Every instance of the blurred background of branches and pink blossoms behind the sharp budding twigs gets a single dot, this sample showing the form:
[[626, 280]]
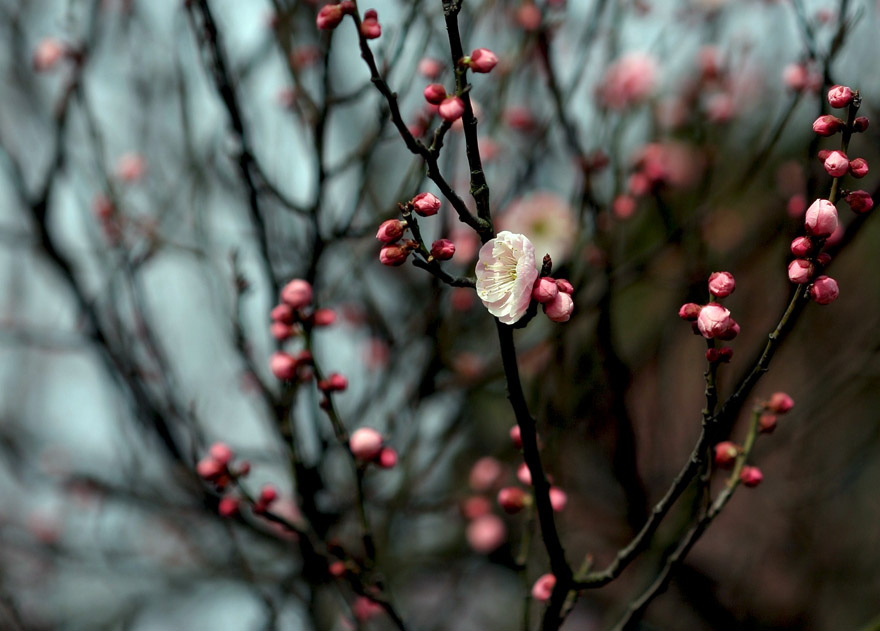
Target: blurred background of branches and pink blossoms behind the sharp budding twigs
[[165, 167]]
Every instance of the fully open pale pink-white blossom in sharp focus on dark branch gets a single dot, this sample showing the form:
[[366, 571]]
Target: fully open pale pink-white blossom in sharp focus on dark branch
[[506, 273]]
